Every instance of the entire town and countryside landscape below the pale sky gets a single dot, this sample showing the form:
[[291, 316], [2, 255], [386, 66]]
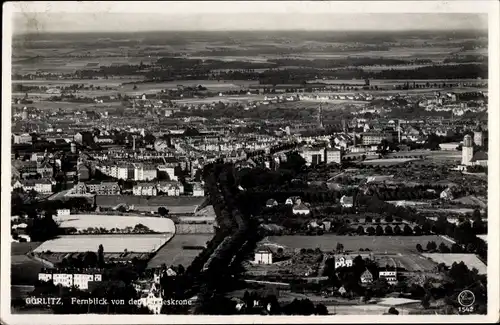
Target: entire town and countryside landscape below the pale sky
[[250, 173]]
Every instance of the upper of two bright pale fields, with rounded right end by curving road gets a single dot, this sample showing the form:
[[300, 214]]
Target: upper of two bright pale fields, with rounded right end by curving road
[[84, 221]]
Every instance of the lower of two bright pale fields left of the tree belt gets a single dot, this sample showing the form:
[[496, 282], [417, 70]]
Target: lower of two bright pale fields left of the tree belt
[[111, 243]]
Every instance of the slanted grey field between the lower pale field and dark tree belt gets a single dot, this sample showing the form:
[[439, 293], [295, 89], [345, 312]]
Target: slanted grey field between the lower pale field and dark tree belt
[[173, 252]]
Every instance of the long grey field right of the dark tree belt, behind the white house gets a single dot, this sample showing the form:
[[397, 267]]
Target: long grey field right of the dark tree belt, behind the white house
[[328, 243]]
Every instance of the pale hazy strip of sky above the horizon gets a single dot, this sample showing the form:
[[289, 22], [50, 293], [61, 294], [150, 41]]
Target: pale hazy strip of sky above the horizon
[[127, 22]]
